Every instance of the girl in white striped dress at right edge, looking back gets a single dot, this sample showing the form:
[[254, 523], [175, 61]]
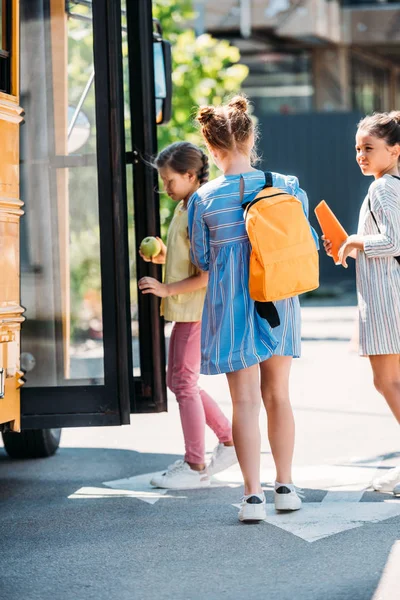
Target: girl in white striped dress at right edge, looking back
[[376, 248]]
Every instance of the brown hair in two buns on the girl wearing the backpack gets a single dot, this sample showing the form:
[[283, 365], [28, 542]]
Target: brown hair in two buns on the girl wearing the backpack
[[227, 127]]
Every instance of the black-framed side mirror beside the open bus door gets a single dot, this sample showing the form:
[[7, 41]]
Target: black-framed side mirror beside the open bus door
[[162, 80]]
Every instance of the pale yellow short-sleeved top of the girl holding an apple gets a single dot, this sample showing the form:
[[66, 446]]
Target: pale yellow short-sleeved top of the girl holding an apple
[[181, 307]]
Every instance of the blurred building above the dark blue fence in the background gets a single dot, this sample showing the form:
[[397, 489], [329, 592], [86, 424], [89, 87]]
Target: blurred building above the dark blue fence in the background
[[313, 55]]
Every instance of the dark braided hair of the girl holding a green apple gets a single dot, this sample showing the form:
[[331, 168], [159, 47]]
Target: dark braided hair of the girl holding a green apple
[[182, 157]]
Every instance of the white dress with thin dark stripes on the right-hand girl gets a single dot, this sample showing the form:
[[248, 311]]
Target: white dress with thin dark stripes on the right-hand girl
[[378, 273]]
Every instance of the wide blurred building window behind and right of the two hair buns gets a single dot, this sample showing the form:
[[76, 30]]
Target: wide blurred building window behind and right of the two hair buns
[[280, 82]]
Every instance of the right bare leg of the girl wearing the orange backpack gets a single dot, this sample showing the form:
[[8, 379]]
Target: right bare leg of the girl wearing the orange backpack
[[281, 430]]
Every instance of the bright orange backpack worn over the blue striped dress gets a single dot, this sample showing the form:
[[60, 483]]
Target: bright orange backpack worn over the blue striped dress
[[284, 256]]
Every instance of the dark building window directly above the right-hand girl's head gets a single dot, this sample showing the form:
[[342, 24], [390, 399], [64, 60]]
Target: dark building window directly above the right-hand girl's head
[[370, 86]]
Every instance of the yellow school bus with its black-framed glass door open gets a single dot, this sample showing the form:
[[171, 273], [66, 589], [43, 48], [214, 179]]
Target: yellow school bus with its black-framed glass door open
[[83, 84]]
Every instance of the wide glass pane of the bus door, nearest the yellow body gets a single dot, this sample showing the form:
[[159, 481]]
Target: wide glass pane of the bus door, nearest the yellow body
[[62, 342]]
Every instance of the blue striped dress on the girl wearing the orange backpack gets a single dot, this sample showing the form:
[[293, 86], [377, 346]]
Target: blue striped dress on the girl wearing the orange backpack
[[234, 336]]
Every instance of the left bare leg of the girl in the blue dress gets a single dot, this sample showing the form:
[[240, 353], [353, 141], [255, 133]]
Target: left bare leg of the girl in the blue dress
[[244, 386]]
